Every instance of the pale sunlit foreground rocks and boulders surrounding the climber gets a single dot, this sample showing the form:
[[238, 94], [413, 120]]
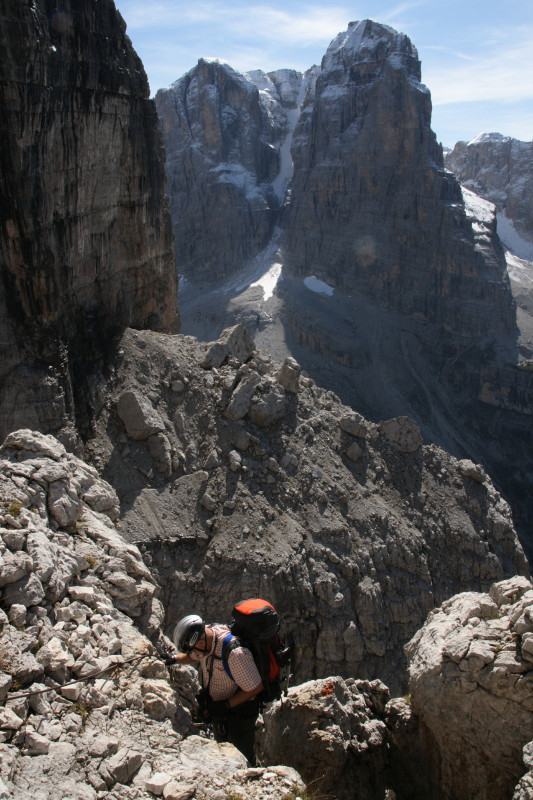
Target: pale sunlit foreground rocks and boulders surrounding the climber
[[88, 709]]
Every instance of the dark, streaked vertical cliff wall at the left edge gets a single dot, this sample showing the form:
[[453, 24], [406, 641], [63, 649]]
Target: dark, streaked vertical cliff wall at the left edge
[[85, 234]]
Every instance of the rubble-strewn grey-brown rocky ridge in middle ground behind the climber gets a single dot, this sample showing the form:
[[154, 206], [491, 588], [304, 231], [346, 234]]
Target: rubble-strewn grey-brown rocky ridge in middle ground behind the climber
[[355, 531]]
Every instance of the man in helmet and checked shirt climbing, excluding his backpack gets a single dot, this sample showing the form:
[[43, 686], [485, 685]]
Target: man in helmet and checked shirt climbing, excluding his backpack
[[231, 704]]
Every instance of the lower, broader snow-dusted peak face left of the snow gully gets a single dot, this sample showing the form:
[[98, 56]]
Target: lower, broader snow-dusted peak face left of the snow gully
[[221, 160]]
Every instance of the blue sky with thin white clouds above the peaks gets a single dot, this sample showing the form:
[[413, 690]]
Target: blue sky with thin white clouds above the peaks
[[477, 55]]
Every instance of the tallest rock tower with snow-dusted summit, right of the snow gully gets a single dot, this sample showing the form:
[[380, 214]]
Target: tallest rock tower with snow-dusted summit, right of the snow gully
[[373, 210]]
